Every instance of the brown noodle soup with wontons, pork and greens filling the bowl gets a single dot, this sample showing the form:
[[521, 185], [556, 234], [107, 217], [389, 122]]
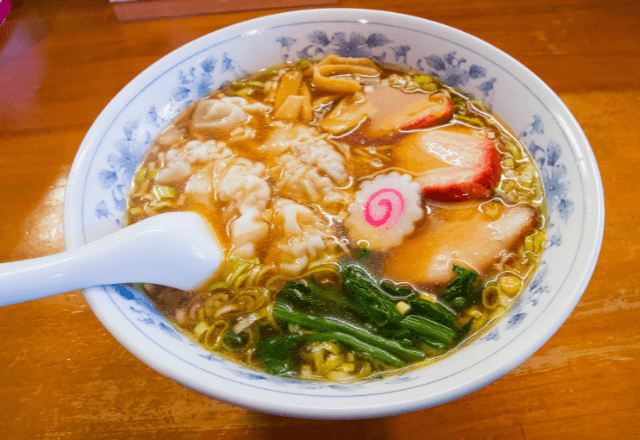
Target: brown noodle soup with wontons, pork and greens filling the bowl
[[373, 219]]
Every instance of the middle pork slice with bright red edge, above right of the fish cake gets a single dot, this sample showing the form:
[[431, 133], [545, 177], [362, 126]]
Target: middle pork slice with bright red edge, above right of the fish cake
[[456, 162]]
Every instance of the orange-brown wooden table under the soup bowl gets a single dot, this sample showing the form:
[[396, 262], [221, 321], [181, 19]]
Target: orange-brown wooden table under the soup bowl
[[62, 376]]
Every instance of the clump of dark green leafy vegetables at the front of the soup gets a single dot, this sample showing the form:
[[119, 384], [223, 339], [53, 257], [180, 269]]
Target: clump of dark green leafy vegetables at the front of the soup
[[364, 317]]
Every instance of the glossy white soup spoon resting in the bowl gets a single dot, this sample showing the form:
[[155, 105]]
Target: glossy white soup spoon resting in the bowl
[[173, 249]]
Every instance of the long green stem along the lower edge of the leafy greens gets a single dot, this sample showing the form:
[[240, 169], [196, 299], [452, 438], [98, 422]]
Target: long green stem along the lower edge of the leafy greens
[[321, 324]]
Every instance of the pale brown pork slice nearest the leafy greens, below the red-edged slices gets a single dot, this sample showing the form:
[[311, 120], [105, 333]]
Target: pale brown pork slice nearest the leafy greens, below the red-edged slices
[[466, 237]]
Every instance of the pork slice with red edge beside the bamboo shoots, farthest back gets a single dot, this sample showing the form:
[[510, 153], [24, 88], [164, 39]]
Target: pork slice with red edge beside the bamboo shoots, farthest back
[[398, 110]]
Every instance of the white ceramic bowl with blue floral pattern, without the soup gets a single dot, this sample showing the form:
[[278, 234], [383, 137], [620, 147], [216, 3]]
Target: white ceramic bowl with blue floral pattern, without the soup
[[107, 158]]
